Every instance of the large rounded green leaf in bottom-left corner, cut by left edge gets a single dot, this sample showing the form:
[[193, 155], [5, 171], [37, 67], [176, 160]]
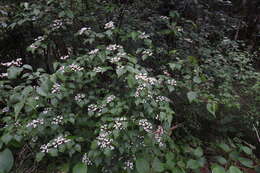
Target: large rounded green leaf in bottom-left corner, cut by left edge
[[6, 160]]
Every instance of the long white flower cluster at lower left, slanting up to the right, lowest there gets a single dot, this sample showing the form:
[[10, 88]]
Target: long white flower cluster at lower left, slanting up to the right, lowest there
[[54, 144]]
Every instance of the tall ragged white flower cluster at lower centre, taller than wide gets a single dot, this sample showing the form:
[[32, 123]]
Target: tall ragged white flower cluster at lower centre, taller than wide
[[103, 138]]
